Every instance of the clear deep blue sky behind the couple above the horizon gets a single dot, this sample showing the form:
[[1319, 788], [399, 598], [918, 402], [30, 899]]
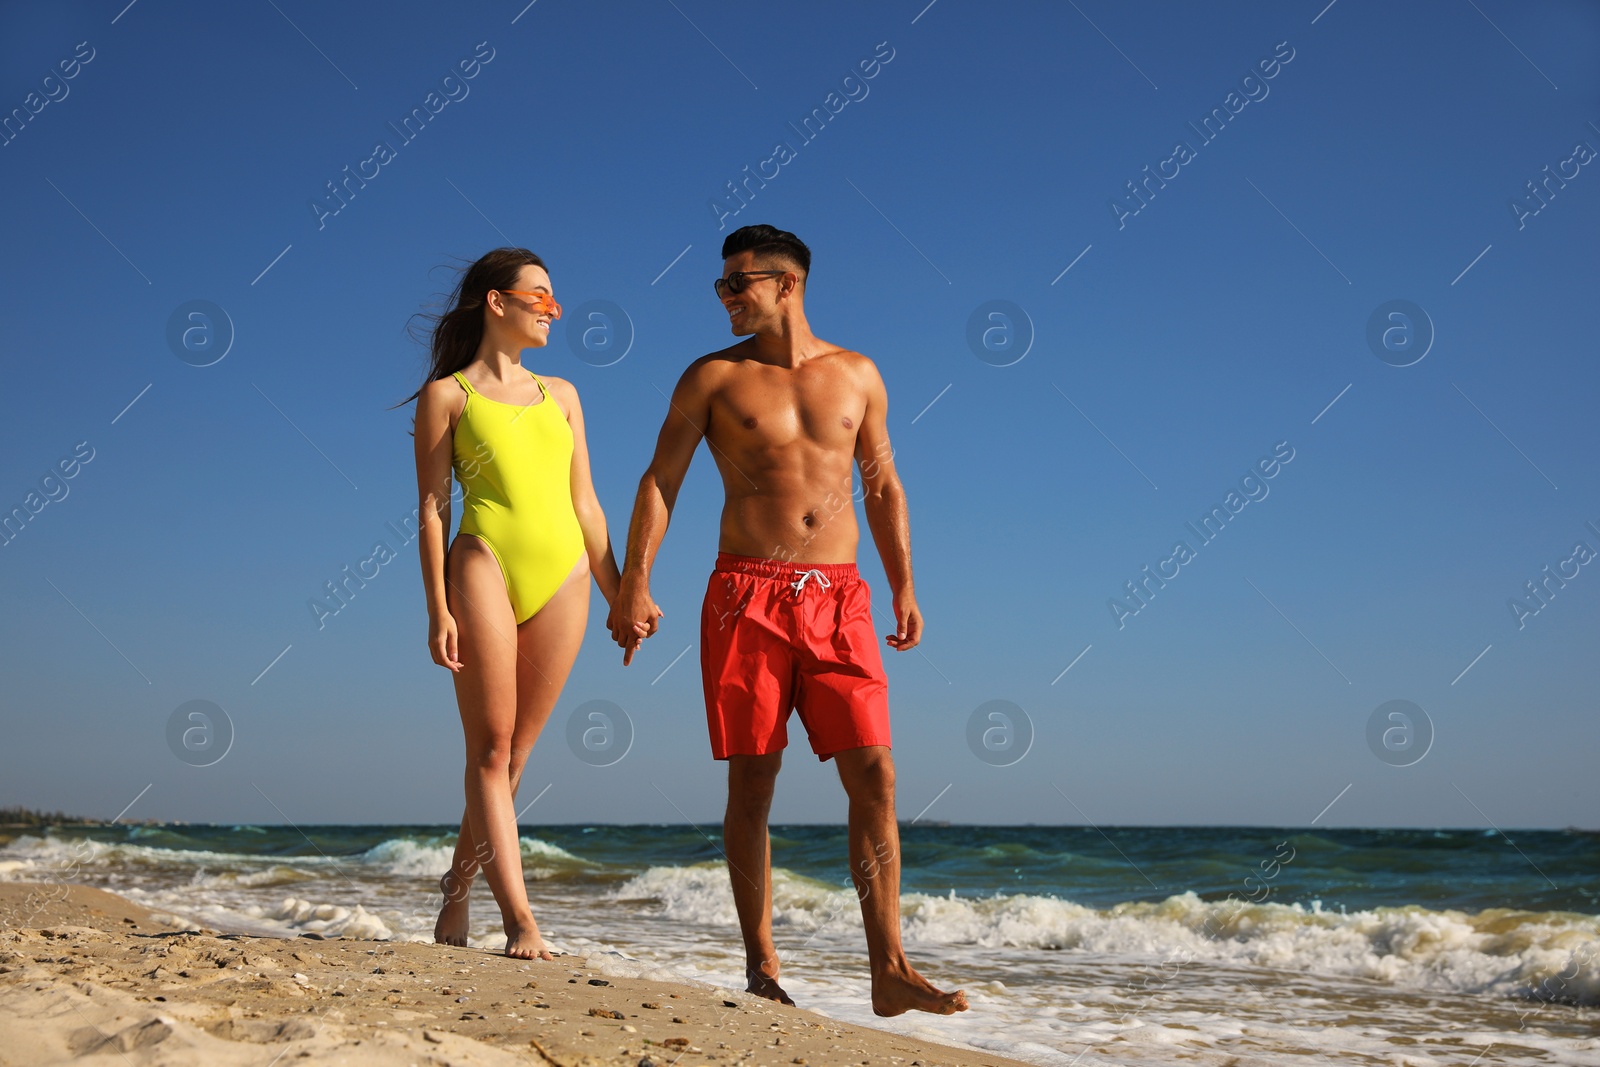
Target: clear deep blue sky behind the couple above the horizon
[[1170, 351]]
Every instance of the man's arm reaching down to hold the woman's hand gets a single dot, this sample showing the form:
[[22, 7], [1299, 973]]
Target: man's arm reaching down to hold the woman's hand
[[689, 415]]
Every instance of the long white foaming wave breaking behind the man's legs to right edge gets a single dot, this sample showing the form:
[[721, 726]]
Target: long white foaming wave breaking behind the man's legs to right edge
[[1548, 956]]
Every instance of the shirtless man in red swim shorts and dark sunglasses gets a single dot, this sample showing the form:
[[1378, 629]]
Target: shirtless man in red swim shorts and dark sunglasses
[[788, 621]]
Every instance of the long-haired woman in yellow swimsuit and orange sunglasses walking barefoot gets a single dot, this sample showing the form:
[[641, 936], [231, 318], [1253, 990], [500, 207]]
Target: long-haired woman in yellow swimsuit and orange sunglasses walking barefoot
[[510, 602]]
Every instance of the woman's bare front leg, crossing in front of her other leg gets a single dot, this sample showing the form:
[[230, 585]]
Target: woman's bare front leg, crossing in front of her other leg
[[487, 695]]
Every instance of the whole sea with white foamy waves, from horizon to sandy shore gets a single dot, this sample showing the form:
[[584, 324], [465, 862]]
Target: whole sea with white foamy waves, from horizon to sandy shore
[[1132, 946]]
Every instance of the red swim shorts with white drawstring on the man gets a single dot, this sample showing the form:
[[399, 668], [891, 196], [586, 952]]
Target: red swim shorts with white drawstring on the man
[[780, 637]]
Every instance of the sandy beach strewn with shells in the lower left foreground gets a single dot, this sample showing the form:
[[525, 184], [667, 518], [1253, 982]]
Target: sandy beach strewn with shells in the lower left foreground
[[87, 973]]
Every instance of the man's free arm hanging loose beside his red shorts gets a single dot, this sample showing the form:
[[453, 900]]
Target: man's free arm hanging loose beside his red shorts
[[886, 505]]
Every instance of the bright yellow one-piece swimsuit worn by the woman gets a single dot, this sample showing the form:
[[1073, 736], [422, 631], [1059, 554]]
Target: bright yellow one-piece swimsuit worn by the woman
[[514, 465]]
